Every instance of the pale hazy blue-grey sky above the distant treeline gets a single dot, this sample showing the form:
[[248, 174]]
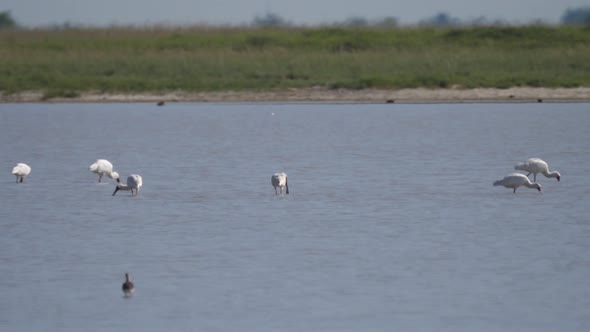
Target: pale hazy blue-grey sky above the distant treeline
[[105, 12]]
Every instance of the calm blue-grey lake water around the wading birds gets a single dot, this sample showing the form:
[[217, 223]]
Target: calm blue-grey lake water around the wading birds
[[391, 224]]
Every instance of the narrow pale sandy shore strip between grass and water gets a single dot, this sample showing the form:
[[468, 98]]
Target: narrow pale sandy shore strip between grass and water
[[581, 94]]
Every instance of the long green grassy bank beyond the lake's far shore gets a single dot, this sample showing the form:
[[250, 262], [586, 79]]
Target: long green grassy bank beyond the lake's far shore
[[128, 60]]
